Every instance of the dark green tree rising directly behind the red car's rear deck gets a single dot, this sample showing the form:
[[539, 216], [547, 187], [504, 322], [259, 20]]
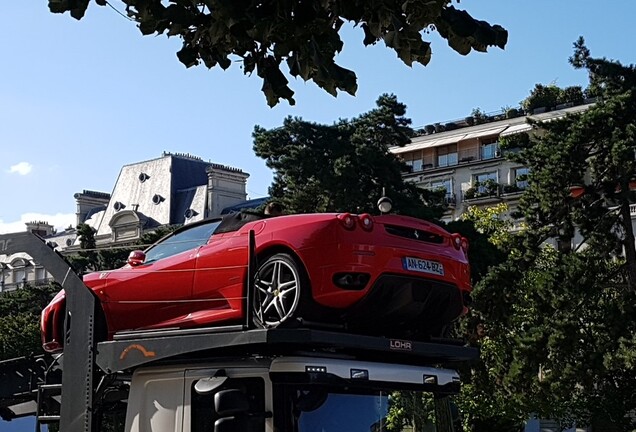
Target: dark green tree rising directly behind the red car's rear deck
[[344, 166]]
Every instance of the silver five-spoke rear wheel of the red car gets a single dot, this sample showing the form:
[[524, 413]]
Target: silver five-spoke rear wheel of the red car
[[280, 288]]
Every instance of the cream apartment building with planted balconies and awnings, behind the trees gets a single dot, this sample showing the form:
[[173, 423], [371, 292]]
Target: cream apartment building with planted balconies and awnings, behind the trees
[[467, 161]]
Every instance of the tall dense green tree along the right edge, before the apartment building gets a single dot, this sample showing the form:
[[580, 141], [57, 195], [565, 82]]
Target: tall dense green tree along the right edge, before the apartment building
[[560, 320]]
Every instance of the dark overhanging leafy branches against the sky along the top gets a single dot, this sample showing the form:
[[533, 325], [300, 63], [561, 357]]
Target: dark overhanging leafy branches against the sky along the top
[[303, 35]]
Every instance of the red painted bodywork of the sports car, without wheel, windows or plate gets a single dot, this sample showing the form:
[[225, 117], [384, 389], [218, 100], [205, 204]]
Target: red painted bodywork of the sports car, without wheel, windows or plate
[[206, 284]]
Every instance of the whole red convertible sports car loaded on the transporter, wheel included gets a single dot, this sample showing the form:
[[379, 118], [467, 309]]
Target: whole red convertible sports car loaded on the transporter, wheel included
[[382, 274]]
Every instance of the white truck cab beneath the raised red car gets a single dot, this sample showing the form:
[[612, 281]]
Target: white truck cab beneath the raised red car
[[292, 394]]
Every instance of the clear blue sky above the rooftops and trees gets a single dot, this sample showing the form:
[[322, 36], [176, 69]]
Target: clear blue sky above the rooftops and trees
[[79, 99]]
